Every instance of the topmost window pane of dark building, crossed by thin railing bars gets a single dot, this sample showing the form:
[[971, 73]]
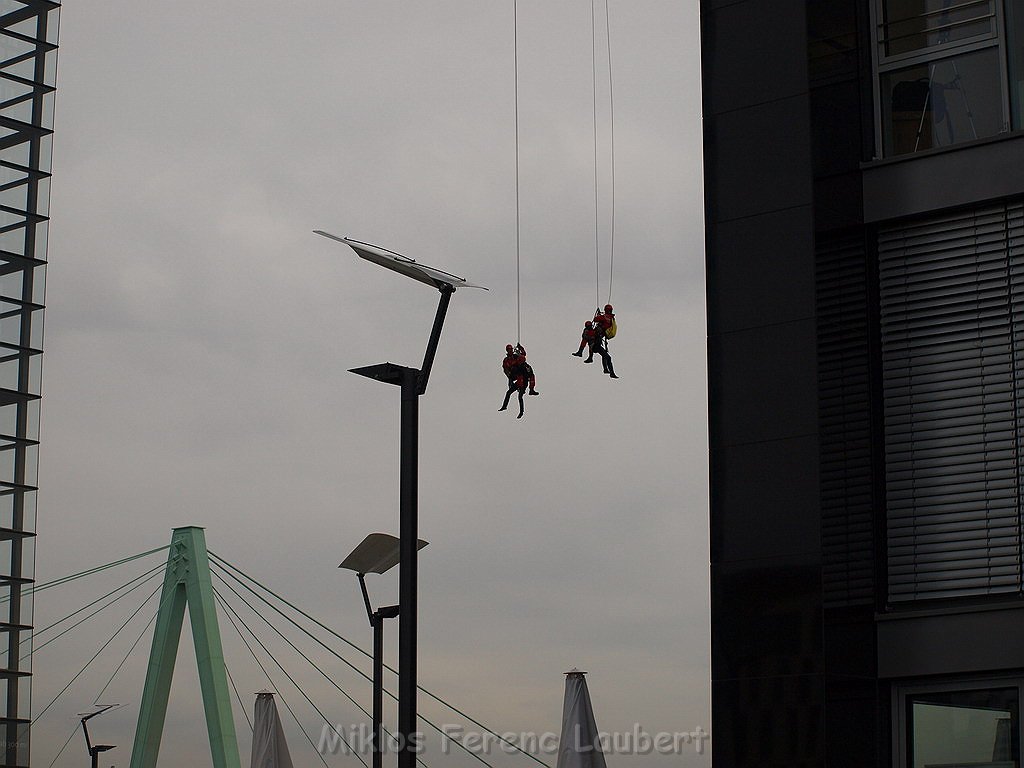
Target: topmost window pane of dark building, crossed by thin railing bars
[[916, 25]]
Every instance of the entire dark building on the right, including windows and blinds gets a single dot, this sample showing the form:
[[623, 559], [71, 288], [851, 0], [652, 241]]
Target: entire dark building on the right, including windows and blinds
[[865, 198]]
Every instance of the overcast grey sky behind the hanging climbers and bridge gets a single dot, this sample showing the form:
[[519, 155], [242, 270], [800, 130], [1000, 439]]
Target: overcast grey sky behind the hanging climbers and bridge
[[198, 337]]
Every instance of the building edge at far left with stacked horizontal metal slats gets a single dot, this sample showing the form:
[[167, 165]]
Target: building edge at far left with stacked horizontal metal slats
[[28, 70]]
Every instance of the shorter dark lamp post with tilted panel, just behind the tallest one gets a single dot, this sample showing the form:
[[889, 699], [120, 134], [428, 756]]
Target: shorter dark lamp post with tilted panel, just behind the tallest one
[[378, 553]]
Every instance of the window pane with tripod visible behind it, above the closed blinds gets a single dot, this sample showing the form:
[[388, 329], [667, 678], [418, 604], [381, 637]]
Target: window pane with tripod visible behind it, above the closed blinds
[[942, 104]]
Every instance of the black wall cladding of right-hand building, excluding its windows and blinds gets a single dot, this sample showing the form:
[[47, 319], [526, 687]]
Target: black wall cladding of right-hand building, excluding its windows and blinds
[[807, 649]]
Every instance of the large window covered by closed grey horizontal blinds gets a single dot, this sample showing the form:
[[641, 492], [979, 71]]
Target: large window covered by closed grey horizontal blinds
[[952, 294]]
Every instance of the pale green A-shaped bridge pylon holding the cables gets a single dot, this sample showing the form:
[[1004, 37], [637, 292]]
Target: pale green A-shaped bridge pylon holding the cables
[[187, 581]]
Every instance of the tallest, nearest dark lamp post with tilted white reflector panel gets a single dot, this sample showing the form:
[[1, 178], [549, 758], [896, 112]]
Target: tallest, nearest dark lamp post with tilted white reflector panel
[[414, 383]]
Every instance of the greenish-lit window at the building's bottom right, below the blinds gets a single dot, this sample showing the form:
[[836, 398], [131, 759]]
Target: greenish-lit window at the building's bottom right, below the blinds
[[964, 729]]
